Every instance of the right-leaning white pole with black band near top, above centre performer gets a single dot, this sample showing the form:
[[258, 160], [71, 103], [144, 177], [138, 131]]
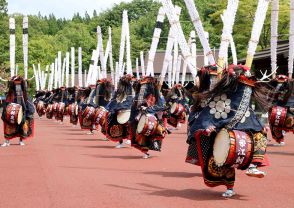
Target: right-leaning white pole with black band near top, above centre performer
[[155, 41]]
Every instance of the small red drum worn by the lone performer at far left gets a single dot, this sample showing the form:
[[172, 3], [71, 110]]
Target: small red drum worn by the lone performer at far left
[[14, 113]]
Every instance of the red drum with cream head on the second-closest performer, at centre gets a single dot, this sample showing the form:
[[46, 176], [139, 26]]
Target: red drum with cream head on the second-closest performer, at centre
[[147, 124]]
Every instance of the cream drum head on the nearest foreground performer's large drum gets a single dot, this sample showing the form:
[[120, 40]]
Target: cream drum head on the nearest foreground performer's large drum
[[221, 147]]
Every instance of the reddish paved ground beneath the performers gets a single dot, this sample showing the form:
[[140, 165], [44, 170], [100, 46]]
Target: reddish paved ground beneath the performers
[[62, 167]]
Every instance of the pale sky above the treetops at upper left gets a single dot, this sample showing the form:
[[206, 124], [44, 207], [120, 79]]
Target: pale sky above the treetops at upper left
[[60, 8]]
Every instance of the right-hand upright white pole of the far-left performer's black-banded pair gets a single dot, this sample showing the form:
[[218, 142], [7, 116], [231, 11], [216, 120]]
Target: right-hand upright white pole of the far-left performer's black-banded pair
[[25, 46]]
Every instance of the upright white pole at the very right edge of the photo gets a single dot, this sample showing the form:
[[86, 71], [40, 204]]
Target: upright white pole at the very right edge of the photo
[[291, 40]]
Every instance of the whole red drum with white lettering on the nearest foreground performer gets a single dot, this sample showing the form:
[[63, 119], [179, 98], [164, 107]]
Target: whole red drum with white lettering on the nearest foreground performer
[[233, 148]]
